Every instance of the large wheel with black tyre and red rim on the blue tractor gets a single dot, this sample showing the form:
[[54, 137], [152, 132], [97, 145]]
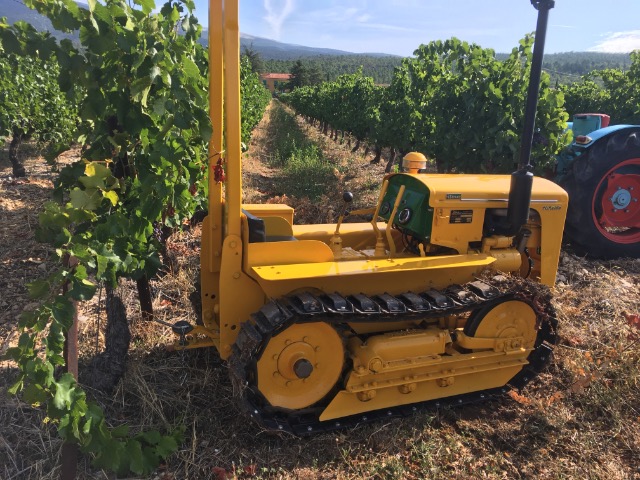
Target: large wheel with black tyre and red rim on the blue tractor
[[603, 219]]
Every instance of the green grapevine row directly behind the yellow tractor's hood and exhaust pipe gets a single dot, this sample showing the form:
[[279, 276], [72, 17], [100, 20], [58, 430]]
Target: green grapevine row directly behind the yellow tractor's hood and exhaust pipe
[[453, 101]]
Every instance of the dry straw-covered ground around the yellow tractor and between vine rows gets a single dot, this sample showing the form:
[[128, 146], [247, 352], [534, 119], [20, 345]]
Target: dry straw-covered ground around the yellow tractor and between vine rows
[[580, 419]]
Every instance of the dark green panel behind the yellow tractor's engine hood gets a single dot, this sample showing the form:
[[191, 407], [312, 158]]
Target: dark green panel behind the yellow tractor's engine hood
[[414, 216]]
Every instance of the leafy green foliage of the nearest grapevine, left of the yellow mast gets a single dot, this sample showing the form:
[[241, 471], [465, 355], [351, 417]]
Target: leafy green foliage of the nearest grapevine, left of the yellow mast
[[139, 82]]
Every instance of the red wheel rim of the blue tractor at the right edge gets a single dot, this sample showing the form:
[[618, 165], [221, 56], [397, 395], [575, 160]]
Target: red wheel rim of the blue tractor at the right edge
[[616, 203]]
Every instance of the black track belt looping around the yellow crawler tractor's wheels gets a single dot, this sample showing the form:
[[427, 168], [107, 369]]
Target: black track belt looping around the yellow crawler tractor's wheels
[[337, 310]]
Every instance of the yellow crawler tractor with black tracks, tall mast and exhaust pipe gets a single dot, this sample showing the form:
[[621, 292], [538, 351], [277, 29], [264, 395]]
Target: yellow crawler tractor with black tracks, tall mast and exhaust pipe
[[329, 324]]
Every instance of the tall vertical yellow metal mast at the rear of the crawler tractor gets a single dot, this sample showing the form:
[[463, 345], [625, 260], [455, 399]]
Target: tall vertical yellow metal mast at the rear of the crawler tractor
[[225, 198]]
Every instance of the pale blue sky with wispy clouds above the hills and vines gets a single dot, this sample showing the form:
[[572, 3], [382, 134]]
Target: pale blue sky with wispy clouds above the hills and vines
[[399, 26]]
